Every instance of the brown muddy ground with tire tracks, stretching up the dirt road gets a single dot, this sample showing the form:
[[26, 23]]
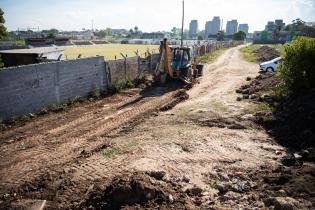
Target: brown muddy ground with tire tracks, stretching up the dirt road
[[137, 151]]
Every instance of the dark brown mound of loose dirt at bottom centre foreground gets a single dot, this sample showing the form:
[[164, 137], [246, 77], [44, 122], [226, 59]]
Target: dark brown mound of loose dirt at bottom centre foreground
[[138, 190]]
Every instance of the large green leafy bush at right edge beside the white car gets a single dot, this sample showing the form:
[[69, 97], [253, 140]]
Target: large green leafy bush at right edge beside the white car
[[298, 66]]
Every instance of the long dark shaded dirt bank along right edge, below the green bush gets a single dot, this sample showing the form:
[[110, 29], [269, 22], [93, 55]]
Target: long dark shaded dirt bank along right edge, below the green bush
[[291, 123]]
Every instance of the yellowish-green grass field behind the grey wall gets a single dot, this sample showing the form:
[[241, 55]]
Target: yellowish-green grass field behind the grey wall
[[109, 51]]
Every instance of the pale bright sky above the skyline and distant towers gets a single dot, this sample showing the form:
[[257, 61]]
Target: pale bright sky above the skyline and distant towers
[[148, 15]]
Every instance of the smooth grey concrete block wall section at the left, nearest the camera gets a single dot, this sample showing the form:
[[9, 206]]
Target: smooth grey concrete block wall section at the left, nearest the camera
[[26, 89]]
